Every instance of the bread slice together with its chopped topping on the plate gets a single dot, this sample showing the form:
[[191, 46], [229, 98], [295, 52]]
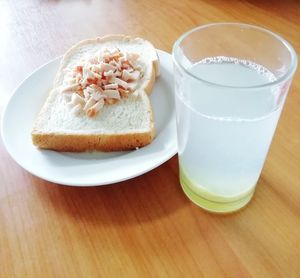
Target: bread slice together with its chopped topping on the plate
[[100, 97]]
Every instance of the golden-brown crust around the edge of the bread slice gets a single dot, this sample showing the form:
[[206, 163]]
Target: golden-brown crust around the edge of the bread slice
[[97, 142]]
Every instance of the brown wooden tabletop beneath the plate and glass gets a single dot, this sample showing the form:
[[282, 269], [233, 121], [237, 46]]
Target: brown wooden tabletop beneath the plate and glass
[[144, 227]]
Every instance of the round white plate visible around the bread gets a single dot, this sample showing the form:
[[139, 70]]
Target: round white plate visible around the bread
[[94, 168]]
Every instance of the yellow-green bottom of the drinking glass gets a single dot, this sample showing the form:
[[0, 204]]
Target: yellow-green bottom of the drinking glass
[[212, 202]]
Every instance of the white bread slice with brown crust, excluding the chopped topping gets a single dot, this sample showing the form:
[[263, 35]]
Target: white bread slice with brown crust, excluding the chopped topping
[[125, 125]]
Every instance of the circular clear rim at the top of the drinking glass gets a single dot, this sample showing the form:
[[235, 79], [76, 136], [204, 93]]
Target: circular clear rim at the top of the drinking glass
[[289, 73]]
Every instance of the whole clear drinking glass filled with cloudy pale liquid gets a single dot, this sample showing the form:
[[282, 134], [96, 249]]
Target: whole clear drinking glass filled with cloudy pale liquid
[[231, 81]]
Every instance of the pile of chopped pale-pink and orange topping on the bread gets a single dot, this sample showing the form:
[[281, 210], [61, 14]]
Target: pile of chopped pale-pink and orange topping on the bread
[[101, 80]]
